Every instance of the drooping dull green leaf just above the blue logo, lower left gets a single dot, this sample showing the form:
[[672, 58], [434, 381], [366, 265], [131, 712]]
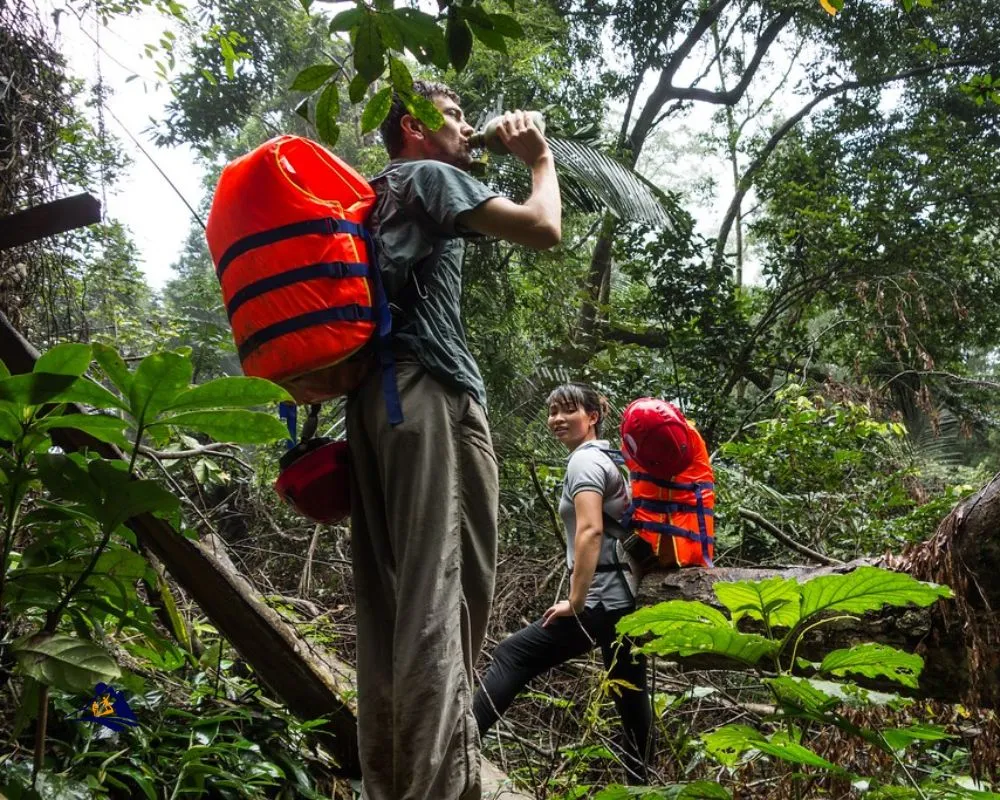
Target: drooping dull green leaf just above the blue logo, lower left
[[66, 662]]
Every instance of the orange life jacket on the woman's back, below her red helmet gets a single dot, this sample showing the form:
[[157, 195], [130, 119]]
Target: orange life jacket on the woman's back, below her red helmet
[[676, 517]]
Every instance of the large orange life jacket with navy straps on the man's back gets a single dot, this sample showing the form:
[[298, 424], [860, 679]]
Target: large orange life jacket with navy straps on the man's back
[[297, 268]]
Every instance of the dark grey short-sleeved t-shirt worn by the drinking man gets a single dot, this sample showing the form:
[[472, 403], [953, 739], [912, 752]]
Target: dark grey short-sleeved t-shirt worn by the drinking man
[[415, 228]]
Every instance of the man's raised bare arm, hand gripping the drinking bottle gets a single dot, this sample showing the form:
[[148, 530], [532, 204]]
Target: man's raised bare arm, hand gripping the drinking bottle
[[536, 223]]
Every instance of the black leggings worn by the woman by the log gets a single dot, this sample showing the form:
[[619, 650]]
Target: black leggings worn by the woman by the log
[[533, 650]]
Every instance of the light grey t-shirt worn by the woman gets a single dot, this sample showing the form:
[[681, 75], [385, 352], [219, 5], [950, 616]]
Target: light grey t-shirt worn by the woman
[[591, 470]]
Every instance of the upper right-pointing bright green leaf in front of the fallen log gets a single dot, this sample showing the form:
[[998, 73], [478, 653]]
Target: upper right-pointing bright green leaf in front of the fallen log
[[866, 589]]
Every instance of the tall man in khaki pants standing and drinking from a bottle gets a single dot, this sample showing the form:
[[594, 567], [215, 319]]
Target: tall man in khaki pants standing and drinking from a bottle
[[425, 491]]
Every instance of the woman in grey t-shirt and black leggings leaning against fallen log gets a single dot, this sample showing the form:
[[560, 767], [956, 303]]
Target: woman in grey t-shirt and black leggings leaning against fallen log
[[594, 496]]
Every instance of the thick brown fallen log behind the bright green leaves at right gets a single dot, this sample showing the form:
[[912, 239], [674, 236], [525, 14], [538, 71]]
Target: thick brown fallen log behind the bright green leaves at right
[[956, 638]]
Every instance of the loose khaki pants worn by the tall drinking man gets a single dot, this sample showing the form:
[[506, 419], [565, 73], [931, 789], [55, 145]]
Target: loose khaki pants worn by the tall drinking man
[[423, 537]]
